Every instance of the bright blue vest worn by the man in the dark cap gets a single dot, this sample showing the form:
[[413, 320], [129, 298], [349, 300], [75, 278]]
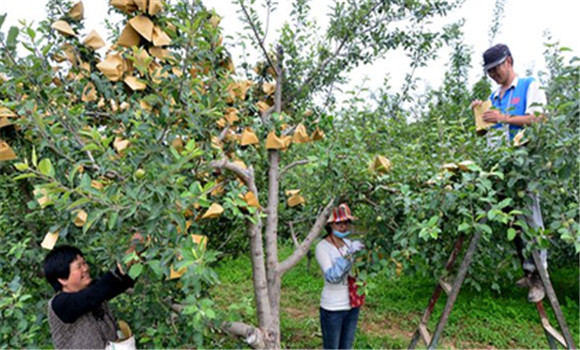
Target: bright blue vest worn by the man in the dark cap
[[513, 102]]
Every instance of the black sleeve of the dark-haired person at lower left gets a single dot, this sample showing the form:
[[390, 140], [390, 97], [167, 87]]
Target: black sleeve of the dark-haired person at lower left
[[70, 306]]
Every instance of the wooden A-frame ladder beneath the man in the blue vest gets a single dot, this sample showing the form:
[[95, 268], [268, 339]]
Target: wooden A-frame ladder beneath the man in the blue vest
[[452, 292]]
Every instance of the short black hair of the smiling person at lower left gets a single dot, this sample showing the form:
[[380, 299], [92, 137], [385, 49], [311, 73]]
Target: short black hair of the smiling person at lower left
[[57, 264]]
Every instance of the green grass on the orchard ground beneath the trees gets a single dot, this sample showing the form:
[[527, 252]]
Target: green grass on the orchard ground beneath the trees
[[480, 319]]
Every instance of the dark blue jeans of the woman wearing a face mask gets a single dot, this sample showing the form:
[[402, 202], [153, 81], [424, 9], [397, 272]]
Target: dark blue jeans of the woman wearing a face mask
[[338, 328]]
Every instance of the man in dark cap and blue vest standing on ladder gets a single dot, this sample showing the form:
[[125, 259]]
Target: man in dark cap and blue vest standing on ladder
[[517, 102]]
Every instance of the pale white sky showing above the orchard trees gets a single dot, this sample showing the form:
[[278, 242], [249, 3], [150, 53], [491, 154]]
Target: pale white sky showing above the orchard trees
[[523, 27]]
